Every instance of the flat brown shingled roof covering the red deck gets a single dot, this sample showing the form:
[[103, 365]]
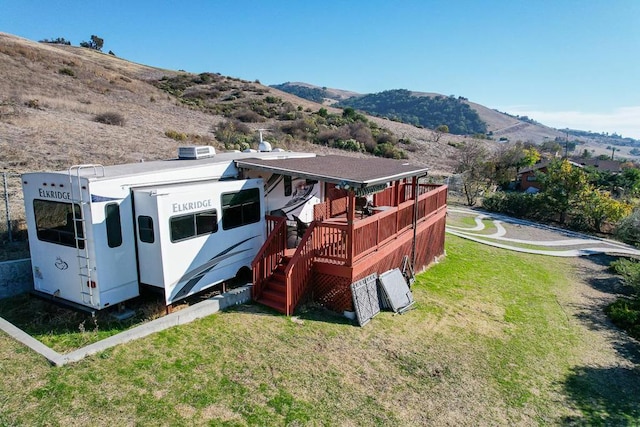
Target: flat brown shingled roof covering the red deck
[[357, 173]]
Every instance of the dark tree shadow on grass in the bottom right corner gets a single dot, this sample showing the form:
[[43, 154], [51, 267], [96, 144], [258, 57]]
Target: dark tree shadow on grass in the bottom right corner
[[605, 396]]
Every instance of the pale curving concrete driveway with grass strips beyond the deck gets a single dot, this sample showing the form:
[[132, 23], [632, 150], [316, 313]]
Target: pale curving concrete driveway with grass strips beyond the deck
[[553, 241]]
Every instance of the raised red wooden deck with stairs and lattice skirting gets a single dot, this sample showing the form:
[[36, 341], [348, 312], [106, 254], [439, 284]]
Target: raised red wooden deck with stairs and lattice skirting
[[342, 246]]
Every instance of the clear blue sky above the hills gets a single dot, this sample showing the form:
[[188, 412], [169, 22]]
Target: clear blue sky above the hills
[[564, 63]]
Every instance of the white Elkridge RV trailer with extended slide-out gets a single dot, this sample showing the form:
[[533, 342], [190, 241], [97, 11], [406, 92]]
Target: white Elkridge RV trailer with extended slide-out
[[98, 233]]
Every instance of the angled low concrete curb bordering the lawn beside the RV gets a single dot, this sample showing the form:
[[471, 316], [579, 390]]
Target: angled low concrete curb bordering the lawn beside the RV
[[205, 308]]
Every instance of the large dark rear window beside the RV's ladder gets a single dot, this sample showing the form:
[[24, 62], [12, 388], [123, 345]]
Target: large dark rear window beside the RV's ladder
[[54, 223]]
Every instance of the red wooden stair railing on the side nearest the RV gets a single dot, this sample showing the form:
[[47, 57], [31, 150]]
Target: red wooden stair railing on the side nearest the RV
[[270, 253]]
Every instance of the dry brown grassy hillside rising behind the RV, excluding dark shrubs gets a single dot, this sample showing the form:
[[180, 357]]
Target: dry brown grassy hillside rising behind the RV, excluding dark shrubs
[[50, 96]]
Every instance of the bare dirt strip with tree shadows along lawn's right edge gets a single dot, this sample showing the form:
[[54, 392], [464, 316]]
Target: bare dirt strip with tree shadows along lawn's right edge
[[605, 380]]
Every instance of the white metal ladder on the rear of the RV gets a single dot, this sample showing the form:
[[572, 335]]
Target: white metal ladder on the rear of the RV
[[85, 269]]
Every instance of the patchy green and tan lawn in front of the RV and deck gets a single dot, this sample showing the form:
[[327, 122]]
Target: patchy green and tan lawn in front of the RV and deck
[[490, 342]]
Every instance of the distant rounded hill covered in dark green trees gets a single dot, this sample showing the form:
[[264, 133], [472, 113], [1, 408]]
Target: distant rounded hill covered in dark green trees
[[423, 111]]
